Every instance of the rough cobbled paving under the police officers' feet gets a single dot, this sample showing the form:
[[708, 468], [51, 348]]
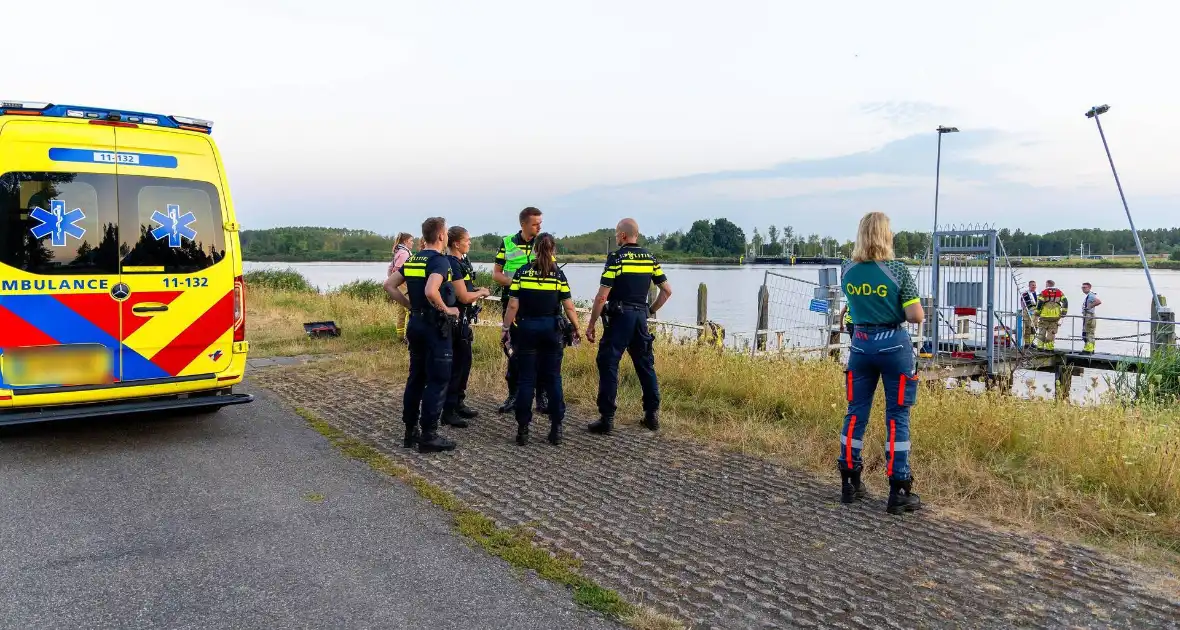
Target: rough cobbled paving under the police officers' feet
[[727, 541]]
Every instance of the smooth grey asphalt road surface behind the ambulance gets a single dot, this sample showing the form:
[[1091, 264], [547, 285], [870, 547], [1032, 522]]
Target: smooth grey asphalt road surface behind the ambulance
[[217, 522]]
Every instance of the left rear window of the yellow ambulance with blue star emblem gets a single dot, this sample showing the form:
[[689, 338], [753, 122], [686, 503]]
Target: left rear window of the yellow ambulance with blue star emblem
[[60, 224]]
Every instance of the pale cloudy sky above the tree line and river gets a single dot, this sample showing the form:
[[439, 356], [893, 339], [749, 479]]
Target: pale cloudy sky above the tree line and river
[[376, 115]]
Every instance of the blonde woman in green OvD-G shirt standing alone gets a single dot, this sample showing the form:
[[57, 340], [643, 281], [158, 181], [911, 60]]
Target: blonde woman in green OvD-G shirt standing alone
[[882, 294]]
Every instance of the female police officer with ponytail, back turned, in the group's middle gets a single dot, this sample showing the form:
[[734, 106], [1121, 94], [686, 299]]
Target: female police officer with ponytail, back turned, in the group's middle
[[537, 294]]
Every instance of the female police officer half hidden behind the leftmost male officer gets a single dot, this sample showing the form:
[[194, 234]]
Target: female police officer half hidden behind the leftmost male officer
[[456, 411]]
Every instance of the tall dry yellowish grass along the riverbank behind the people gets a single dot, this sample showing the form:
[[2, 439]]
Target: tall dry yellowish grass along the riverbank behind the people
[[1103, 474]]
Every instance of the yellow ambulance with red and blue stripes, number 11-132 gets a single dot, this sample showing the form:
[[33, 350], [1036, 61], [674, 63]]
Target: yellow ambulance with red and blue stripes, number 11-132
[[121, 271]]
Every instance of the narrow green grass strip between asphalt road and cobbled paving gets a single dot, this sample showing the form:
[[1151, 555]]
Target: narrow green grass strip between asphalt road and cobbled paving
[[514, 546]]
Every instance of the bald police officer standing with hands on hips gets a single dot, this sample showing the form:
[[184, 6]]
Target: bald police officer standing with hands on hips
[[622, 304]]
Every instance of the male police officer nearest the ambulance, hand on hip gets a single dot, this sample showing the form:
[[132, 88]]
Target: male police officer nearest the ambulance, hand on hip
[[430, 300]]
